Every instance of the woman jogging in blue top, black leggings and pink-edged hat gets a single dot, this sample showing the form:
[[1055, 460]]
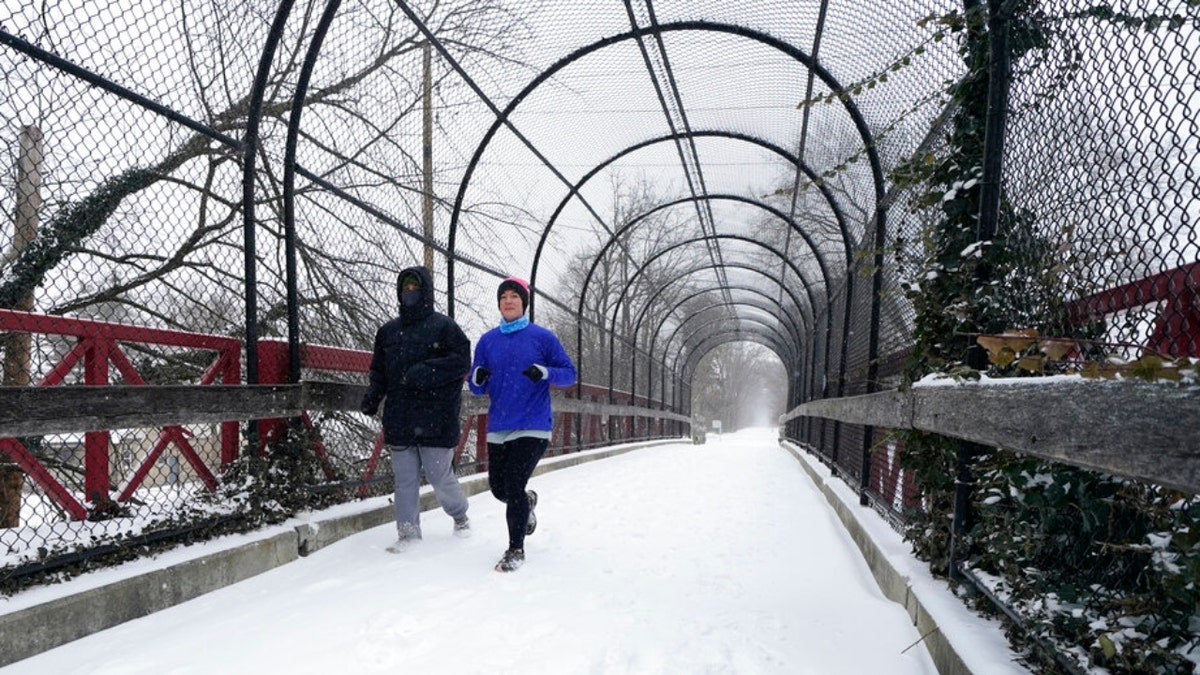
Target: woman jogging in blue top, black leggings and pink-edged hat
[[515, 366]]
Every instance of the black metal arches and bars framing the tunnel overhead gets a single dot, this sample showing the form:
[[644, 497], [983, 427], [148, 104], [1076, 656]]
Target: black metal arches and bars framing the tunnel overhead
[[796, 360]]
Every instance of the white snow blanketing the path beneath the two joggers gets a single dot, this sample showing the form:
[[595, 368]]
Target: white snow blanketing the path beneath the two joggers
[[723, 558]]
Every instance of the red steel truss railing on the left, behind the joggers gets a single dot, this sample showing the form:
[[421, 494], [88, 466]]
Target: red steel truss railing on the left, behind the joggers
[[99, 349]]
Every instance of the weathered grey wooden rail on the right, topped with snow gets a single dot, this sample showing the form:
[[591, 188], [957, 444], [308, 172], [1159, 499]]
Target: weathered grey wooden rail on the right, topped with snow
[[1144, 431]]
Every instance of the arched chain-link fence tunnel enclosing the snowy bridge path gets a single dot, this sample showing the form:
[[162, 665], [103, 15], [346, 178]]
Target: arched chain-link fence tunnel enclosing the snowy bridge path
[[849, 188]]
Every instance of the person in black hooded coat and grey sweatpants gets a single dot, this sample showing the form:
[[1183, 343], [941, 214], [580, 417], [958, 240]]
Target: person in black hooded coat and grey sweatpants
[[421, 361]]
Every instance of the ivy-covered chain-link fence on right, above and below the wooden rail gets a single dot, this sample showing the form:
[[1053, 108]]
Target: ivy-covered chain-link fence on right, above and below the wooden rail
[[1046, 226]]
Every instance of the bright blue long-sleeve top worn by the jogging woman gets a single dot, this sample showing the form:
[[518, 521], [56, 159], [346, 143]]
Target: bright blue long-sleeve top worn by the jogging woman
[[517, 402]]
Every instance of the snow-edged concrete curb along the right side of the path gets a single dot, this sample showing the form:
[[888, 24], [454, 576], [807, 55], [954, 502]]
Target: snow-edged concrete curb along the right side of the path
[[896, 587]]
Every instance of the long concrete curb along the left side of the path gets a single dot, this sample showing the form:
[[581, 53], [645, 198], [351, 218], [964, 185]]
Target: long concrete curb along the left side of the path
[[34, 630]]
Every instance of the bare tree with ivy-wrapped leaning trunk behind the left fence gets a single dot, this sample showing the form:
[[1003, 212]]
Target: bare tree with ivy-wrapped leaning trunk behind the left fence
[[155, 226]]
